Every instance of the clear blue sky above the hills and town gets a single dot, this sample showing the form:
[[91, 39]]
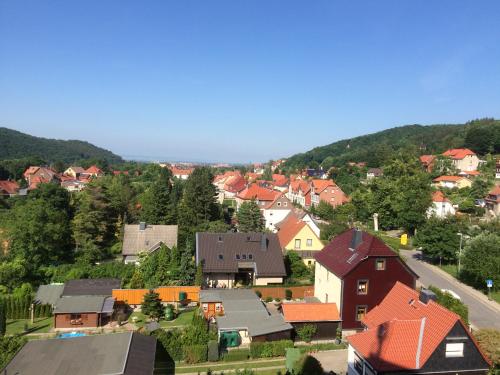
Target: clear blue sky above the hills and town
[[242, 81]]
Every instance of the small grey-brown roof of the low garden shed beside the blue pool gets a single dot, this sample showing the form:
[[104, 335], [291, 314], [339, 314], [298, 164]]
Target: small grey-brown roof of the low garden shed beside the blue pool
[[84, 304]]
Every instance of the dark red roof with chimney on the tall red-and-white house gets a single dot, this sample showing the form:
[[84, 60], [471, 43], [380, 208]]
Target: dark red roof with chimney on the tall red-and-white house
[[338, 258]]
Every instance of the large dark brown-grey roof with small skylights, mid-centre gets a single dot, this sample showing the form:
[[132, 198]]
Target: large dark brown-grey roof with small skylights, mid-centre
[[264, 248]]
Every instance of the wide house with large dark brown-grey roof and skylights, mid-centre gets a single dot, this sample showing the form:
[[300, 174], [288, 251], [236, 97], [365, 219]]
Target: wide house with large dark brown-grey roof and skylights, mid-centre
[[229, 259]]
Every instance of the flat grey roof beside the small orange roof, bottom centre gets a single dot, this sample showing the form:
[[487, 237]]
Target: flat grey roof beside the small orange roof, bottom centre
[[243, 310]]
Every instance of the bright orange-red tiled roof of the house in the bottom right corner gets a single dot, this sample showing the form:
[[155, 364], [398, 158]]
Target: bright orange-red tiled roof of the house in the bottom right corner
[[402, 331]]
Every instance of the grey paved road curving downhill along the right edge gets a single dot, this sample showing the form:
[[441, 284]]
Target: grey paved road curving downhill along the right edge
[[482, 313]]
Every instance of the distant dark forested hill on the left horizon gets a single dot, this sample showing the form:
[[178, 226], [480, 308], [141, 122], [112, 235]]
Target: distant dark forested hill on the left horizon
[[16, 145]]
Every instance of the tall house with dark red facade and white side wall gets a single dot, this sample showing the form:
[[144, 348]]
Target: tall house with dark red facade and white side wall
[[356, 270]]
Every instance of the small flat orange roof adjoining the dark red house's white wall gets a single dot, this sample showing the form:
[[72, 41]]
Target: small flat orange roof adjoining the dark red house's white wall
[[310, 312]]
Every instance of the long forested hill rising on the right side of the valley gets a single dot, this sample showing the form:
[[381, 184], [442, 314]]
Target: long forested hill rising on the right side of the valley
[[482, 136]]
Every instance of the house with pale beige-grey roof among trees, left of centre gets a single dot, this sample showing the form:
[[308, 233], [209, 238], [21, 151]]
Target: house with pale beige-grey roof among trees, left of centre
[[147, 238]]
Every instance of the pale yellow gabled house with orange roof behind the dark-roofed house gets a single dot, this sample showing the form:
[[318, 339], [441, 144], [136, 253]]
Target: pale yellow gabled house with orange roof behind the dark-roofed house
[[295, 234]]
